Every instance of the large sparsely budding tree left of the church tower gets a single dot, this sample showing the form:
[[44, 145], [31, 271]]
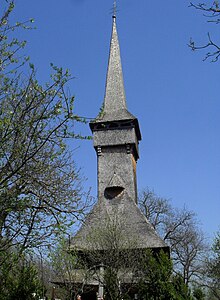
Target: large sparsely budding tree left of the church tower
[[40, 186]]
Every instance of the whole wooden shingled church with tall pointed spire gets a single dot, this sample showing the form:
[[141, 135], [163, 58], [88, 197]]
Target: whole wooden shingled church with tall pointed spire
[[115, 222]]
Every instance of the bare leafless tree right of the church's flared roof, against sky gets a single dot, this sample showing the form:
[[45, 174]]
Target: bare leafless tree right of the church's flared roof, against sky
[[179, 229]]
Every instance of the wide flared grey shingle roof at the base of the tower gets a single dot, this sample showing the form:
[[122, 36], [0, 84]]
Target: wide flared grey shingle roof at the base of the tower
[[131, 222]]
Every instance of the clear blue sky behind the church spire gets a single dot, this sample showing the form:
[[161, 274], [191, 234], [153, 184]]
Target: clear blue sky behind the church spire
[[174, 94]]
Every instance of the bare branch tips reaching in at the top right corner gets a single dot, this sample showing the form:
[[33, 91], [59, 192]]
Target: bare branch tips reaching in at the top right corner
[[212, 11]]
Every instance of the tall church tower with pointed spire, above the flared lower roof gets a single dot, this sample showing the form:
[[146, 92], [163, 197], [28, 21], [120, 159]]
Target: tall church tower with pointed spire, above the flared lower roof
[[116, 134]]
